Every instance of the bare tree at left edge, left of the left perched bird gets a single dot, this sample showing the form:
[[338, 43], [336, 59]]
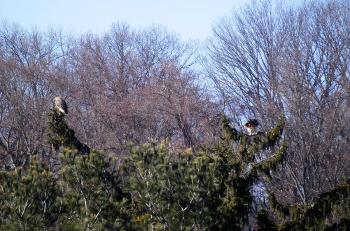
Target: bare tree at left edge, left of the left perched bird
[[25, 67]]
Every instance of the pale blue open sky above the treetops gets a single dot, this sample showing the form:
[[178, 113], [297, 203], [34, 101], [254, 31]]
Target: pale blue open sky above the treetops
[[191, 19]]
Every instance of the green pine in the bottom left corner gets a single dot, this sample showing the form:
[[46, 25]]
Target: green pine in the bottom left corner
[[28, 200]]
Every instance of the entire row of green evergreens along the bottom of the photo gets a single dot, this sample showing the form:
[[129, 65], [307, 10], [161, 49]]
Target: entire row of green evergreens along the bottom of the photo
[[158, 188]]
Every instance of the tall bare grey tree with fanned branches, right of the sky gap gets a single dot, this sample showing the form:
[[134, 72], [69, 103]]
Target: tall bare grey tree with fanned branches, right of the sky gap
[[269, 59]]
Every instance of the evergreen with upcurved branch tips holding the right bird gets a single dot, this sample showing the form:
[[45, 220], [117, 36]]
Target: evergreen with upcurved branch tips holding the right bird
[[238, 170]]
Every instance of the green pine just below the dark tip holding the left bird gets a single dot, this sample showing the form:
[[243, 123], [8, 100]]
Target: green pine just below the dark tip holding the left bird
[[93, 198]]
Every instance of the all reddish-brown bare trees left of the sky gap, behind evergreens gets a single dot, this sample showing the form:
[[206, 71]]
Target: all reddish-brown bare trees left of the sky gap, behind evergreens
[[123, 86]]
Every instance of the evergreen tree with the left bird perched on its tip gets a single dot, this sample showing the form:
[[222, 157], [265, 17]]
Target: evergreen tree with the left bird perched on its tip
[[91, 194]]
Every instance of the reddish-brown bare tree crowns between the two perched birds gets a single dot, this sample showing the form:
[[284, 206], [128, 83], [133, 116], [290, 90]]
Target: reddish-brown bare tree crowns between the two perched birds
[[118, 80]]
